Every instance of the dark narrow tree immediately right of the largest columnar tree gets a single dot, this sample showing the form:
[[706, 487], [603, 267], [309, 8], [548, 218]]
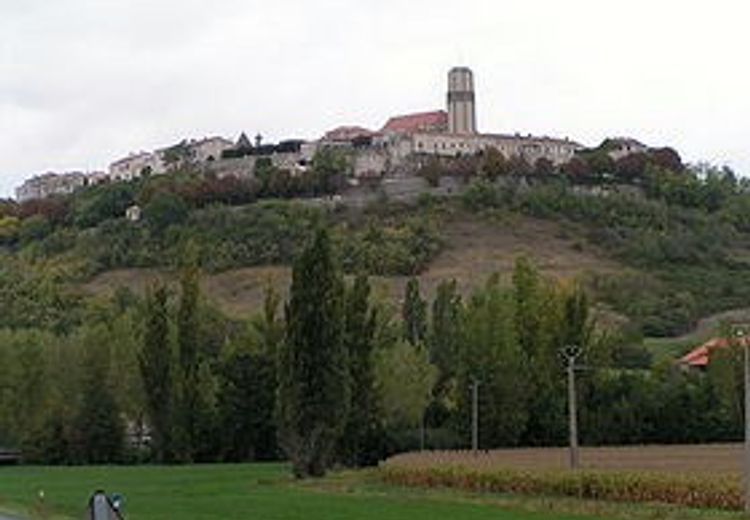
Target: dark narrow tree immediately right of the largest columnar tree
[[361, 444]]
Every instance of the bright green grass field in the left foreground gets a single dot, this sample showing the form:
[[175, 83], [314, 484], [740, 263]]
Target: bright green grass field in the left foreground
[[258, 491]]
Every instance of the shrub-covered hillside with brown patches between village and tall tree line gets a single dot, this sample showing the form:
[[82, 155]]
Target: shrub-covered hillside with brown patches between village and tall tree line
[[662, 256]]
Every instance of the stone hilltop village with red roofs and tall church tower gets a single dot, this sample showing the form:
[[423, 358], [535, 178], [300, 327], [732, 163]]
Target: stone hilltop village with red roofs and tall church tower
[[396, 151]]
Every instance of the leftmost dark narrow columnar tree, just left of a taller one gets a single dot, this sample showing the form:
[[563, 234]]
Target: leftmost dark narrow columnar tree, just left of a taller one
[[155, 363]]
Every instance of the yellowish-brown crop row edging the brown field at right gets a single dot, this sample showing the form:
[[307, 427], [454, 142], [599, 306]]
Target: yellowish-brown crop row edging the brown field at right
[[626, 486]]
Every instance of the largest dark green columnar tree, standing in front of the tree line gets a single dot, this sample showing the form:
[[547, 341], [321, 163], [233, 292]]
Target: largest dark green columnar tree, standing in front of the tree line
[[313, 395]]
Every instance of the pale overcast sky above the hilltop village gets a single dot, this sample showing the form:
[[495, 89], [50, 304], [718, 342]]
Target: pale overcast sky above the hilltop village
[[85, 82]]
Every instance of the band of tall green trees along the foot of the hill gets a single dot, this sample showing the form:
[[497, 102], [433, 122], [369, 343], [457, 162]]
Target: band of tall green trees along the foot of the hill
[[338, 376]]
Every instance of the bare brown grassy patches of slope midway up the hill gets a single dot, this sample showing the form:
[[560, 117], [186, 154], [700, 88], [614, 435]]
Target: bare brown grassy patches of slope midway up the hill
[[473, 250]]
